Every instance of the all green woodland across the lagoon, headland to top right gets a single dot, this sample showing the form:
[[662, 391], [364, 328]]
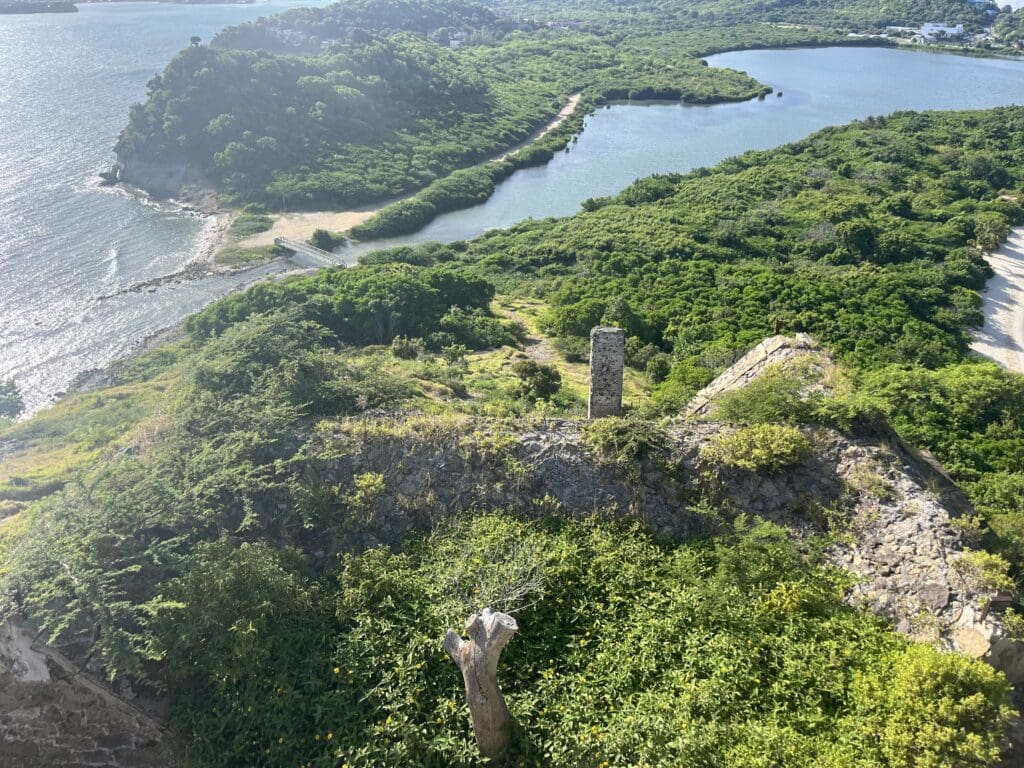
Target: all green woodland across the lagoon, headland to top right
[[361, 102]]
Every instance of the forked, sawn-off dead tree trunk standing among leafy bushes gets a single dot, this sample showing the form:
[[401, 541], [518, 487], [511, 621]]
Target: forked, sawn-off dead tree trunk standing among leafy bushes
[[478, 659]]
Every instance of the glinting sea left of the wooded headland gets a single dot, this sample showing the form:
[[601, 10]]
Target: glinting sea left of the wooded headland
[[71, 253]]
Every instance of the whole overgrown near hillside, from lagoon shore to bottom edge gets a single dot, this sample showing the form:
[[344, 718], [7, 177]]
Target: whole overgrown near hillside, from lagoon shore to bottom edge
[[274, 519]]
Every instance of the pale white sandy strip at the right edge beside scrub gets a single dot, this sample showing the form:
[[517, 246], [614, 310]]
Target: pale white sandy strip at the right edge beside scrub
[[1002, 338]]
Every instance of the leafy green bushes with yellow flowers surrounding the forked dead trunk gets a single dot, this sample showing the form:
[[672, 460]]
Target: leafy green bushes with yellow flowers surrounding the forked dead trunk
[[766, 665]]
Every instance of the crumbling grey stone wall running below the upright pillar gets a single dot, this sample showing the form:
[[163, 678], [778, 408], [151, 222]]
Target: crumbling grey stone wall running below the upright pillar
[[897, 509]]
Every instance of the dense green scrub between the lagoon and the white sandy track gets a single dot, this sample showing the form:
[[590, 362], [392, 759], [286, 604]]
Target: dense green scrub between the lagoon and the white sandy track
[[865, 237]]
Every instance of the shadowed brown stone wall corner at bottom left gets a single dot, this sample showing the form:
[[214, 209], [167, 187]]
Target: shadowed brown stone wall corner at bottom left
[[52, 715]]
